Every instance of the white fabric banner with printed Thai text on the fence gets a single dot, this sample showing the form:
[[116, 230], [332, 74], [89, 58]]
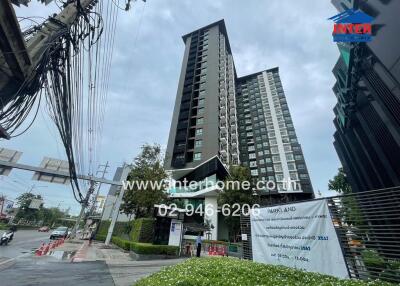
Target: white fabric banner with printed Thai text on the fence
[[298, 235]]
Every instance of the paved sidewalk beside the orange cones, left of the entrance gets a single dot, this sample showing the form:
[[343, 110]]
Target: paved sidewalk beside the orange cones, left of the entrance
[[123, 269]]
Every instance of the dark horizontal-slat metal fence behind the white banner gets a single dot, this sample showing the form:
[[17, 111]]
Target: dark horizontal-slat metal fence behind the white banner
[[368, 228]]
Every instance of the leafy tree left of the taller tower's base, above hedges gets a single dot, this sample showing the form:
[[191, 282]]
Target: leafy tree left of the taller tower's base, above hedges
[[149, 172]]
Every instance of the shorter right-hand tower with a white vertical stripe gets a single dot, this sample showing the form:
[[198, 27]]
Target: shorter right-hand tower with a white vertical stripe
[[267, 138]]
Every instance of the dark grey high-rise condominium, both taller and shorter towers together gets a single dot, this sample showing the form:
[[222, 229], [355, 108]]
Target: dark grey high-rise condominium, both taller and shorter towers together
[[221, 118]]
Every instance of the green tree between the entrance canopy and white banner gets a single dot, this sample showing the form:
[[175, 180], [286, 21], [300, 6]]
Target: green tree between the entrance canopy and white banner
[[234, 193]]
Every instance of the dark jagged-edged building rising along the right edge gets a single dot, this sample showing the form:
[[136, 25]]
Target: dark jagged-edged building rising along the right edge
[[367, 114]]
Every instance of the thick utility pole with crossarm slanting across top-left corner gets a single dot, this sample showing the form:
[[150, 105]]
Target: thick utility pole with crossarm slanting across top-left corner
[[22, 57]]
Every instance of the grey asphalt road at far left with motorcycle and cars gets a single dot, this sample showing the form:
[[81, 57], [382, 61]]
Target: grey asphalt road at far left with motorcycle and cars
[[22, 245]]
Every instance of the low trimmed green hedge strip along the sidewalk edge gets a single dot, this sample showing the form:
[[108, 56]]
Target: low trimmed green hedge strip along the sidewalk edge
[[145, 248]]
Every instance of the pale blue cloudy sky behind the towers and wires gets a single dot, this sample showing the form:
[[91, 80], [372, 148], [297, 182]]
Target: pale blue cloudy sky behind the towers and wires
[[293, 35]]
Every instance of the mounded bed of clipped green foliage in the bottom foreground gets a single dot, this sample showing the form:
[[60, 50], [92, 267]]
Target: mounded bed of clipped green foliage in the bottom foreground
[[230, 271]]
